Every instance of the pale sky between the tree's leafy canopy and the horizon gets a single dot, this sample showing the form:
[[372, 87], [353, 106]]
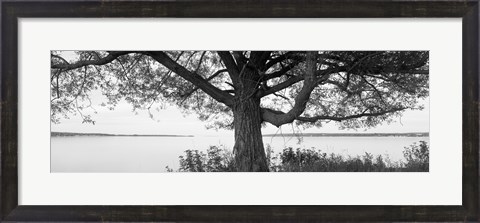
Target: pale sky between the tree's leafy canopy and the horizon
[[171, 121]]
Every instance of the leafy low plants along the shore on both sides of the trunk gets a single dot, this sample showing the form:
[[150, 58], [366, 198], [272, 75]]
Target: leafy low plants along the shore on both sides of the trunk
[[219, 159]]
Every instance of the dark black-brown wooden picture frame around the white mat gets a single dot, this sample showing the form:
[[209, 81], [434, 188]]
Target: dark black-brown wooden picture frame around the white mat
[[466, 9]]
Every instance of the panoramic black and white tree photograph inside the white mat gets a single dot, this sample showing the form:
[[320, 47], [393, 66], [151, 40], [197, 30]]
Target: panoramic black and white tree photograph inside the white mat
[[239, 111]]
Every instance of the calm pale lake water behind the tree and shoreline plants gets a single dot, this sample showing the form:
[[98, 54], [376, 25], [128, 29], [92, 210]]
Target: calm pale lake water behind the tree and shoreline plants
[[144, 154]]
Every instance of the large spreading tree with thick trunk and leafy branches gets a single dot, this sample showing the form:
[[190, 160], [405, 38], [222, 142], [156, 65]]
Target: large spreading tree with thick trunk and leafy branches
[[243, 90]]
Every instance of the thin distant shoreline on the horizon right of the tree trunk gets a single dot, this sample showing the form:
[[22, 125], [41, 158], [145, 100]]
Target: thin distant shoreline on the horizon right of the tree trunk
[[409, 134]]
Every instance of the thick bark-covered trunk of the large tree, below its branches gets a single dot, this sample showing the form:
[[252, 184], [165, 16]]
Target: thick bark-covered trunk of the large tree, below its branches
[[248, 150]]
